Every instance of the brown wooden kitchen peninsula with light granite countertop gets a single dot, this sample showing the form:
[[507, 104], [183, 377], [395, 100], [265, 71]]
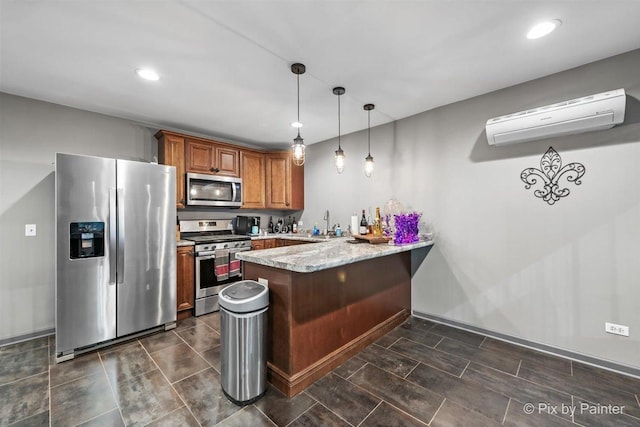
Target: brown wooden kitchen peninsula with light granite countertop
[[328, 300]]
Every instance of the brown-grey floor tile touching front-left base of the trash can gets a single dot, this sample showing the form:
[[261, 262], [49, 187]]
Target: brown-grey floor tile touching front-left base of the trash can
[[202, 393]]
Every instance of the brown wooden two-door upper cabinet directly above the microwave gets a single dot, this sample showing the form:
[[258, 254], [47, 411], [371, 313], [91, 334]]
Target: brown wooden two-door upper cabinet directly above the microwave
[[208, 157]]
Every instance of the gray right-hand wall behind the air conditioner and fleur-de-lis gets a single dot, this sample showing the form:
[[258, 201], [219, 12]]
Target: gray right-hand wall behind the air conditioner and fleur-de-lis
[[504, 260]]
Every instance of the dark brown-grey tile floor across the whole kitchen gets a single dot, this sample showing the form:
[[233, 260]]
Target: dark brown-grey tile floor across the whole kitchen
[[421, 373]]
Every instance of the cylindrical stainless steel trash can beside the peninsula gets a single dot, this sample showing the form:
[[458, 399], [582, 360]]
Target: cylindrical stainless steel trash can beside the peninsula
[[243, 353]]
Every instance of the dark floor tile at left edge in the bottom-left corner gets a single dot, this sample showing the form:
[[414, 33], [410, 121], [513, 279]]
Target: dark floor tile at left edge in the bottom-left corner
[[24, 398]]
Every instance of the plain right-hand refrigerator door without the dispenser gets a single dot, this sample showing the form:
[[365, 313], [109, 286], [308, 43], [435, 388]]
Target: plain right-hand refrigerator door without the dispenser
[[146, 246]]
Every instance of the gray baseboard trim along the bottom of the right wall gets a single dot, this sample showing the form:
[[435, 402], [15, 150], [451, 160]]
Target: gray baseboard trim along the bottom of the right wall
[[544, 348]]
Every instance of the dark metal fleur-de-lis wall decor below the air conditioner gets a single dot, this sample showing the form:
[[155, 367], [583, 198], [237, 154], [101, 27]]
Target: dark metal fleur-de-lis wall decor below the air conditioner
[[550, 172]]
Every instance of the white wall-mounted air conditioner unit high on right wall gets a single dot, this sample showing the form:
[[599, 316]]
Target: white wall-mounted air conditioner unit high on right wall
[[594, 112]]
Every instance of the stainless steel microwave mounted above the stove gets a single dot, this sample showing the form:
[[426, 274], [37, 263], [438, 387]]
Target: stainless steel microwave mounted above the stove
[[213, 190]]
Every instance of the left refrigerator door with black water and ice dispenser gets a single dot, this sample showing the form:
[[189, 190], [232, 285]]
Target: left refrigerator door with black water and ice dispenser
[[85, 298]]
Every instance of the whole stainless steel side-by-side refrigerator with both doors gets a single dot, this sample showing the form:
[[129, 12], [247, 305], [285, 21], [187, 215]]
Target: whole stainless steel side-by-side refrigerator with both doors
[[115, 250]]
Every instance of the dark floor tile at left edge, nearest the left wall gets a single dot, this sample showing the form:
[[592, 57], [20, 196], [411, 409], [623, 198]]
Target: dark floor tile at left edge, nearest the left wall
[[15, 365]]
